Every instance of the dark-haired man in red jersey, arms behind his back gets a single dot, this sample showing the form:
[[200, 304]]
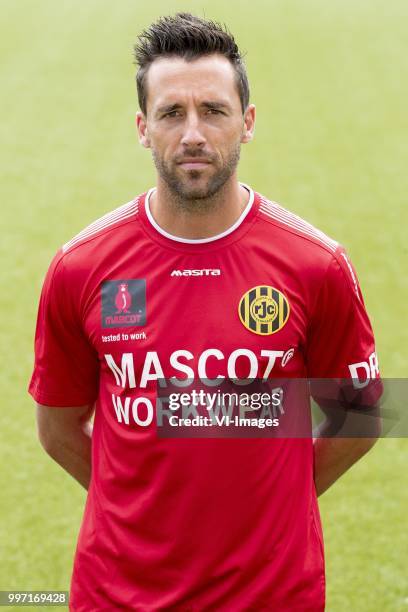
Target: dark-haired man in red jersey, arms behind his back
[[199, 277]]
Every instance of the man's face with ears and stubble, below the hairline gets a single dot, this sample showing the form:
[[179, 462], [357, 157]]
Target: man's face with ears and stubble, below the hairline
[[194, 123]]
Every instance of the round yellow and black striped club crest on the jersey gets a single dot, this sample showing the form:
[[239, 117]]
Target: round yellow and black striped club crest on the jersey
[[263, 310]]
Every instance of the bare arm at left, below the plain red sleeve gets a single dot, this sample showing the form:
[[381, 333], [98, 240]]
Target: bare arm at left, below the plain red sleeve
[[65, 434]]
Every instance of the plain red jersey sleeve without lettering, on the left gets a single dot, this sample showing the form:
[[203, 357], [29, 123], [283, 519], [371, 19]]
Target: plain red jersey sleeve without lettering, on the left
[[66, 365]]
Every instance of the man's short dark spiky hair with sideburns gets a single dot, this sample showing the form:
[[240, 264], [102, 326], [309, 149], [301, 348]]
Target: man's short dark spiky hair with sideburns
[[189, 37]]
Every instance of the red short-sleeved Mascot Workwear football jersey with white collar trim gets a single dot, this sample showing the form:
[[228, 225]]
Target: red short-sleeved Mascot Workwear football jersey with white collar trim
[[196, 523]]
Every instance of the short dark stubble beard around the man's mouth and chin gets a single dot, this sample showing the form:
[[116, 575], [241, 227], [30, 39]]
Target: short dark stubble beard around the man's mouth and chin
[[190, 190]]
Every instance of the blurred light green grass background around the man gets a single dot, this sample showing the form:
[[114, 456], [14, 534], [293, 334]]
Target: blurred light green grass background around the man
[[330, 83]]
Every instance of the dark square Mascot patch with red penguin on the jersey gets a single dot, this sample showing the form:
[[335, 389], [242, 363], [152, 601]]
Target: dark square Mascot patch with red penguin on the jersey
[[123, 303]]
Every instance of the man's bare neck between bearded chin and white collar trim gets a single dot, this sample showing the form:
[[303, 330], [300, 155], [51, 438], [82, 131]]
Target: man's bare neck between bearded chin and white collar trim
[[206, 219]]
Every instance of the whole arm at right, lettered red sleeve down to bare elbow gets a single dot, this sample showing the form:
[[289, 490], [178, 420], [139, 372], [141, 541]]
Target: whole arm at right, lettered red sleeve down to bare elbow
[[340, 336]]
